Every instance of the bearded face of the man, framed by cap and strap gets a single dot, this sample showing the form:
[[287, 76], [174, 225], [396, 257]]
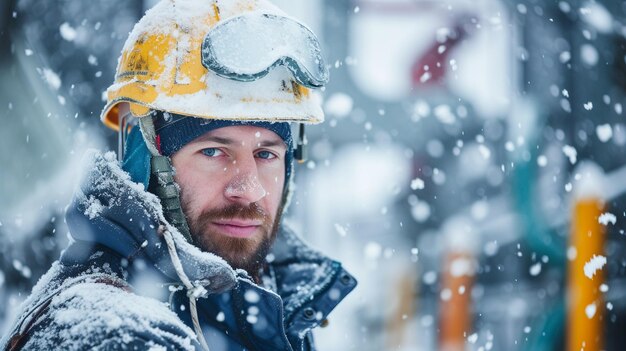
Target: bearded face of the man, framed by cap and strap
[[231, 183]]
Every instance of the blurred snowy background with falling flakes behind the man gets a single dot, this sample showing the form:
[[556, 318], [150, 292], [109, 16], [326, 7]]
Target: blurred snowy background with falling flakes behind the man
[[471, 170]]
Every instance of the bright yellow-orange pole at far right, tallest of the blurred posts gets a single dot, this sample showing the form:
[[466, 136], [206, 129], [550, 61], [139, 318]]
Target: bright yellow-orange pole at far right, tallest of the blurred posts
[[586, 304]]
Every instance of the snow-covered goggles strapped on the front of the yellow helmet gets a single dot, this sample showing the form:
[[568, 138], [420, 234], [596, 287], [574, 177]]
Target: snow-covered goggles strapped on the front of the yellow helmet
[[248, 47]]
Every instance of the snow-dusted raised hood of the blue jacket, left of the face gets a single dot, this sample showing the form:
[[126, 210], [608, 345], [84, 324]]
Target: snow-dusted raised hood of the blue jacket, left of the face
[[109, 209]]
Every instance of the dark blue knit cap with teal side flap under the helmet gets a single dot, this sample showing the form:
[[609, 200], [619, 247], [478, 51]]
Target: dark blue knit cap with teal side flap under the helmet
[[174, 131]]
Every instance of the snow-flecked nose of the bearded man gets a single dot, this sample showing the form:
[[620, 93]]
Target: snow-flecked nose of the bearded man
[[244, 187]]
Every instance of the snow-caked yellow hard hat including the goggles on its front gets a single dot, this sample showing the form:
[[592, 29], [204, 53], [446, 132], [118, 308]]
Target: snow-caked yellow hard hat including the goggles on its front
[[171, 63]]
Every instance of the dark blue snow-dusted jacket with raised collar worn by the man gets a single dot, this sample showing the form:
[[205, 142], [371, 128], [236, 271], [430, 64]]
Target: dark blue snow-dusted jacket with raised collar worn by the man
[[115, 286]]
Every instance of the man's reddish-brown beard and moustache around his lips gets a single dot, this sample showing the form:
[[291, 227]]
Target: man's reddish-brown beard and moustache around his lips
[[241, 253]]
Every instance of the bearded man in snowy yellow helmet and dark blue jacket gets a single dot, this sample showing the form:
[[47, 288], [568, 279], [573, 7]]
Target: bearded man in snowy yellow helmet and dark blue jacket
[[193, 216]]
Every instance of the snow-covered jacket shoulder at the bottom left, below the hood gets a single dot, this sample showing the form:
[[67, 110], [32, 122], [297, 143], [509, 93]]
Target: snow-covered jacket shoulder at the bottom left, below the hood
[[93, 315]]
